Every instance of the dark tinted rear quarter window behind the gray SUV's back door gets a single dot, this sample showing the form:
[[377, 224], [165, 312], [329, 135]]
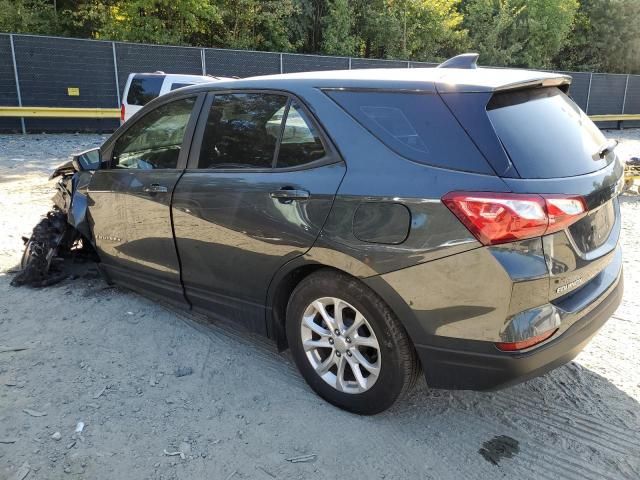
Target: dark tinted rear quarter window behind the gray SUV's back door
[[417, 126]]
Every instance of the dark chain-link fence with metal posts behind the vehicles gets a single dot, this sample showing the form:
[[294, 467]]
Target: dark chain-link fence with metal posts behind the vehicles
[[43, 71]]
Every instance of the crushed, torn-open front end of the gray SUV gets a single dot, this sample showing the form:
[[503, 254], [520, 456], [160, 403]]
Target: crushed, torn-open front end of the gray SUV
[[61, 234]]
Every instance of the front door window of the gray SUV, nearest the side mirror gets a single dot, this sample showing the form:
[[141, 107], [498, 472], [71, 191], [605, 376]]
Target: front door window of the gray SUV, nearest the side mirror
[[154, 141]]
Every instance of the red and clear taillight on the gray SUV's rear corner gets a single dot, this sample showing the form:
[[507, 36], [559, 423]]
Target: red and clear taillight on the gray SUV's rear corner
[[506, 217]]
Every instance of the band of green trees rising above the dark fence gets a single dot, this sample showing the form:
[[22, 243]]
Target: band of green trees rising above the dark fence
[[602, 35]]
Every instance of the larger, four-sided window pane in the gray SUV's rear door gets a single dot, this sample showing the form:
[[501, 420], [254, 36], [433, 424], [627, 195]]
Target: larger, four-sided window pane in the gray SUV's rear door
[[242, 131]]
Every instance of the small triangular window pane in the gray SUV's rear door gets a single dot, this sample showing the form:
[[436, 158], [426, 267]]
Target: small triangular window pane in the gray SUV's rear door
[[300, 141]]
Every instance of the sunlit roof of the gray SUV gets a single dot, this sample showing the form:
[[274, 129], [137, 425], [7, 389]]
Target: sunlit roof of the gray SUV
[[441, 79]]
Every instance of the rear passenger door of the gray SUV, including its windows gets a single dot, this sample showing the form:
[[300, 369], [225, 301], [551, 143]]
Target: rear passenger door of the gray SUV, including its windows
[[261, 182]]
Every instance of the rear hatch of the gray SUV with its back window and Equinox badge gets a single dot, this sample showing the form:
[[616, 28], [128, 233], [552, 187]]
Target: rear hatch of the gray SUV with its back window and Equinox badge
[[549, 146]]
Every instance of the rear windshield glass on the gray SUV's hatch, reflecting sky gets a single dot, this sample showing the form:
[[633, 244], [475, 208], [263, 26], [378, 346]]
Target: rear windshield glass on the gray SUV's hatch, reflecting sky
[[545, 134]]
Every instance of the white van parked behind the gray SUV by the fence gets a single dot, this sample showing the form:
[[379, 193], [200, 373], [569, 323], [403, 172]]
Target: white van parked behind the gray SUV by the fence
[[141, 88]]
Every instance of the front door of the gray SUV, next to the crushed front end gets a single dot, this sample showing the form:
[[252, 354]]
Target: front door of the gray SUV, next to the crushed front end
[[130, 200]]
